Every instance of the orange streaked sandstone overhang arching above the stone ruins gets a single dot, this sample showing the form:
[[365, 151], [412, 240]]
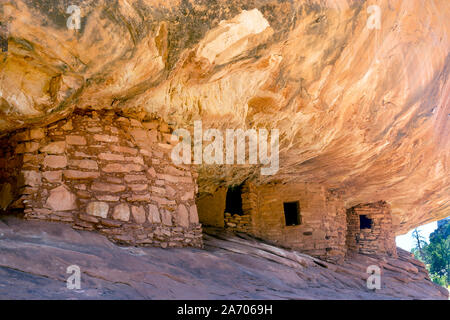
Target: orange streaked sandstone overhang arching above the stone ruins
[[363, 111]]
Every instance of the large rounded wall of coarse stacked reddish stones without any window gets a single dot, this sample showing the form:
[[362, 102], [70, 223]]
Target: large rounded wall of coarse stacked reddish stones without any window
[[103, 172]]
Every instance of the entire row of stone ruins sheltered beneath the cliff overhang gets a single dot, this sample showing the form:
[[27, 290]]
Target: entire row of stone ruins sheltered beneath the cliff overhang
[[100, 171]]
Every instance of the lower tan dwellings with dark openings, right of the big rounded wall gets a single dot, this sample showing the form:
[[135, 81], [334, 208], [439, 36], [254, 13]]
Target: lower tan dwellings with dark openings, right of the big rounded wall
[[302, 216]]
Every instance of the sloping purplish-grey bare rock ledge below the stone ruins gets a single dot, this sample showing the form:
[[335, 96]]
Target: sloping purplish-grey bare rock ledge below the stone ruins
[[34, 256]]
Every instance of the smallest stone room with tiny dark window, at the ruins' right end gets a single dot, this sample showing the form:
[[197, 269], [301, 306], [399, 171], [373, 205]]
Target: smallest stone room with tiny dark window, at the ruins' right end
[[379, 239]]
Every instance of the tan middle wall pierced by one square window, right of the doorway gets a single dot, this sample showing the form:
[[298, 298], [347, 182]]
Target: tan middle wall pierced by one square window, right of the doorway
[[323, 221]]
